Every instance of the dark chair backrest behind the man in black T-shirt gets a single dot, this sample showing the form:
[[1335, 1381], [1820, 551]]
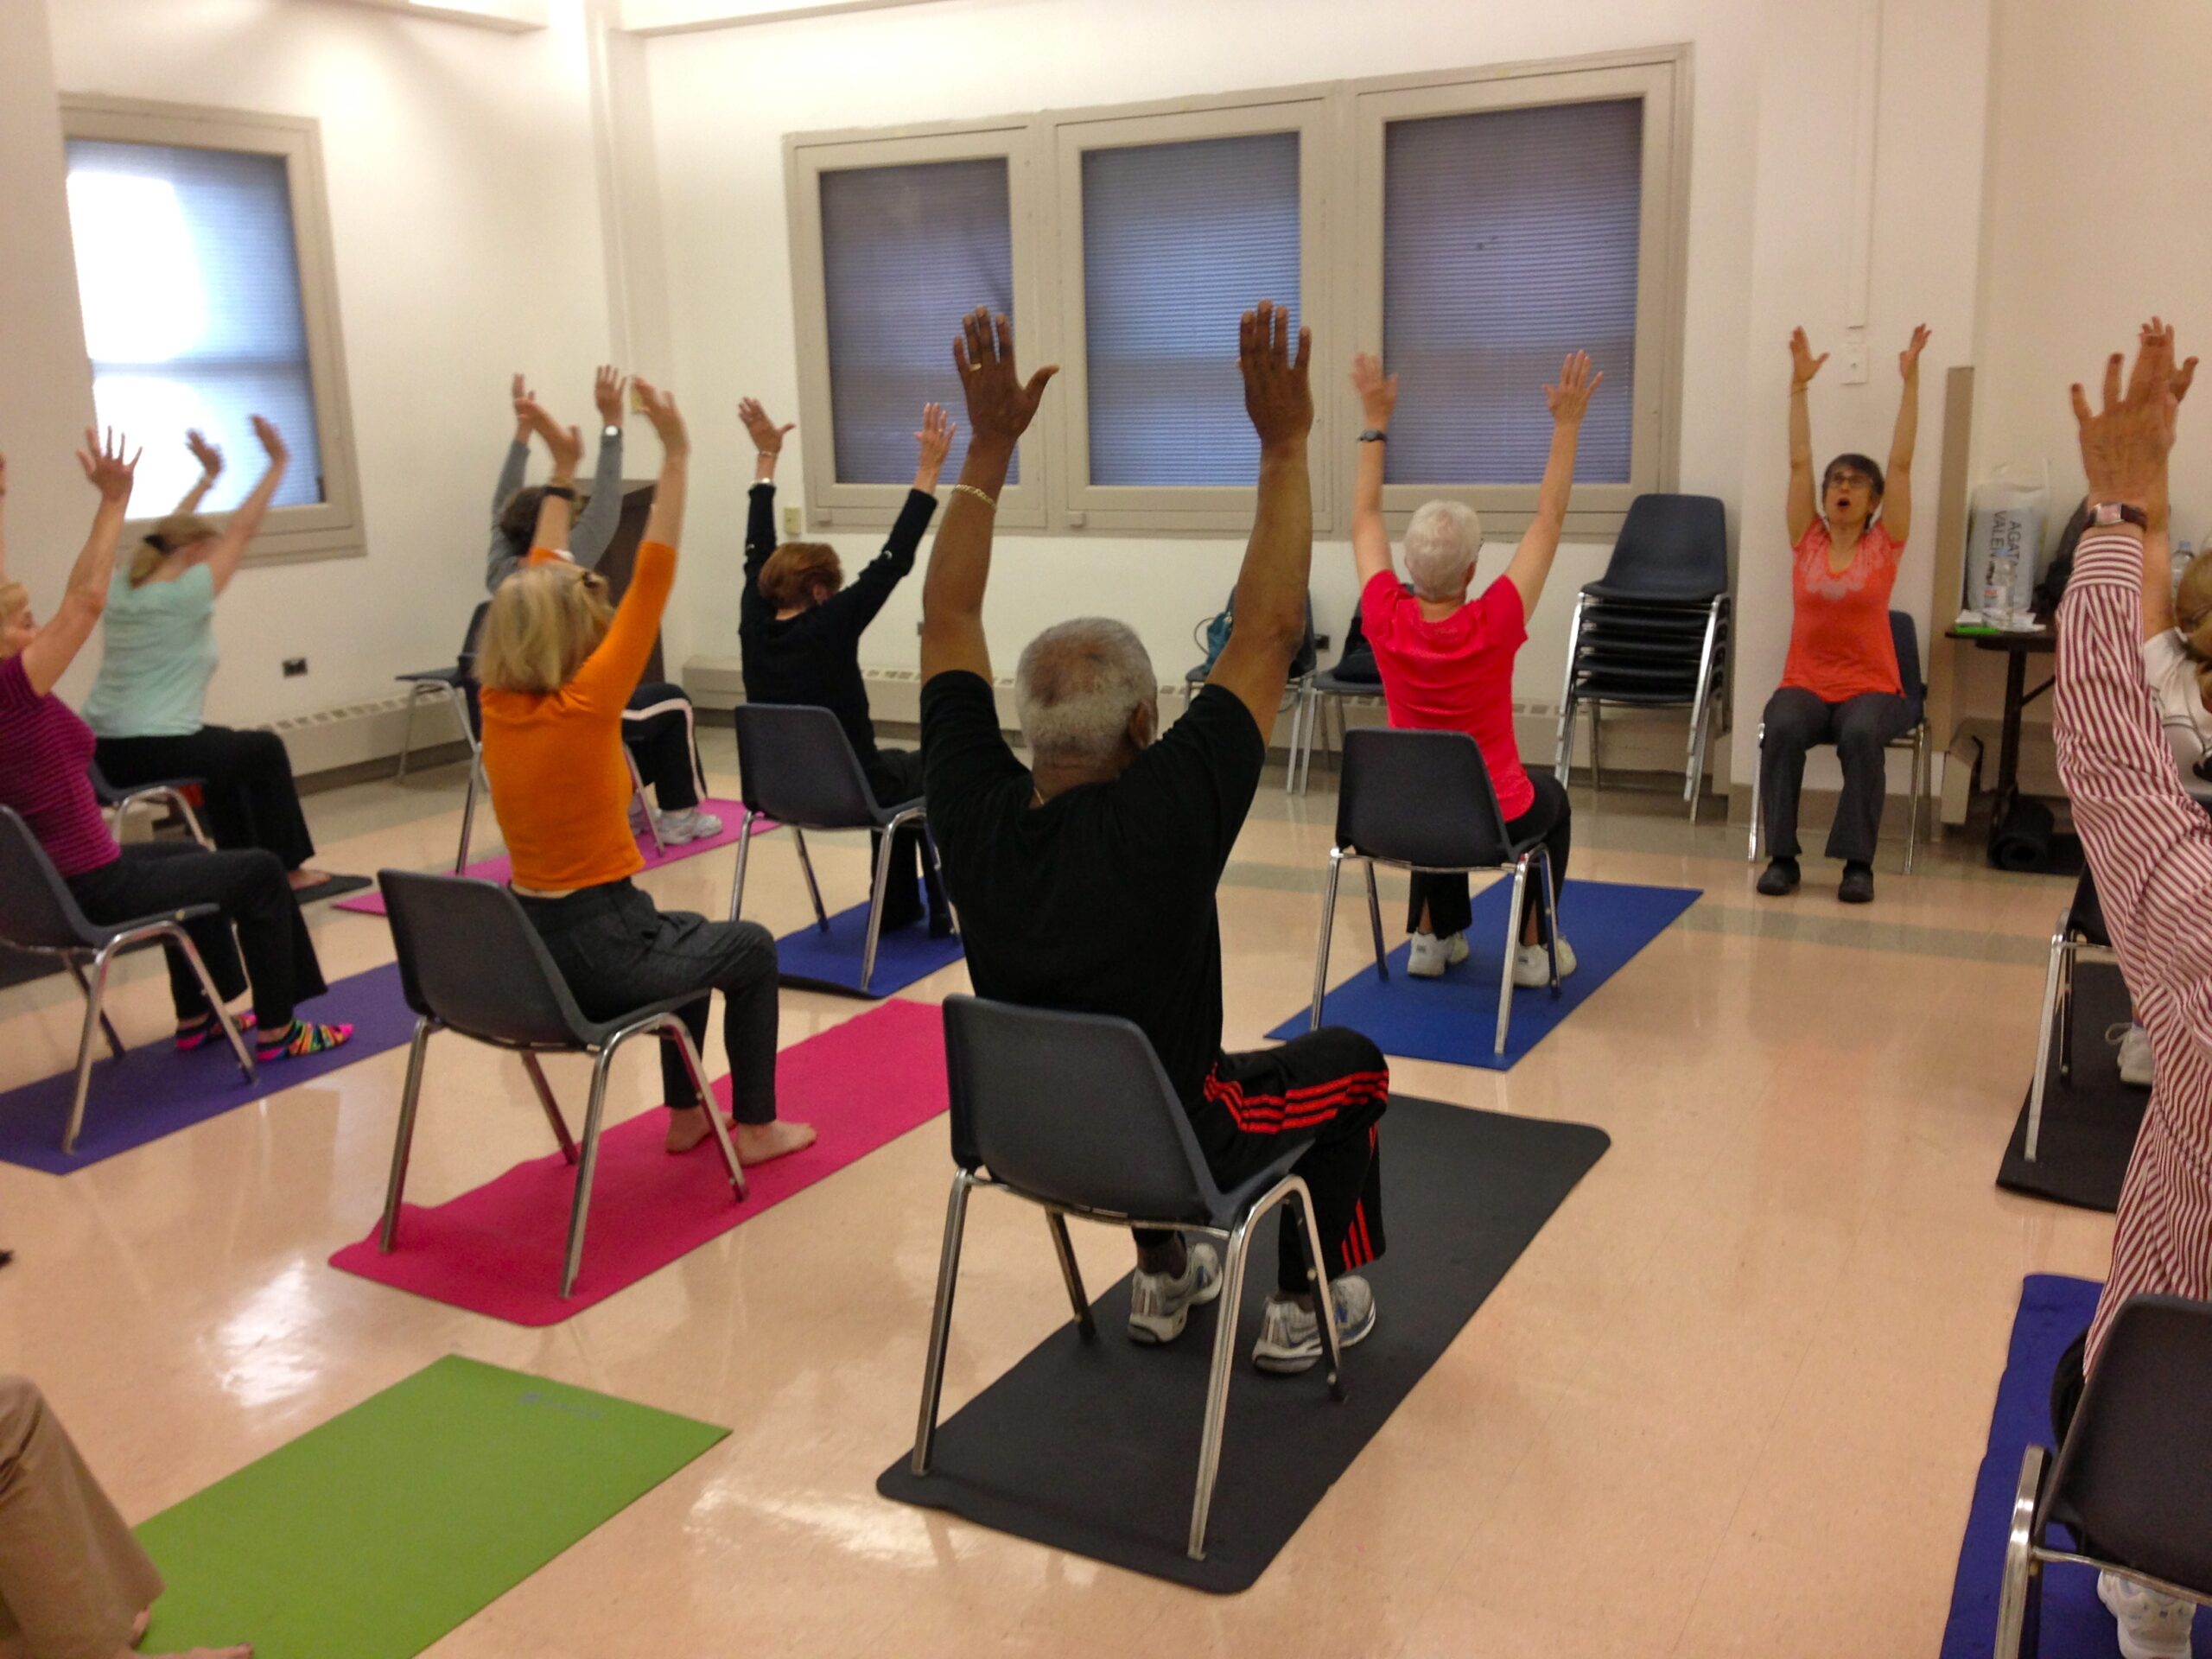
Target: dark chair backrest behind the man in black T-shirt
[[1072, 1109]]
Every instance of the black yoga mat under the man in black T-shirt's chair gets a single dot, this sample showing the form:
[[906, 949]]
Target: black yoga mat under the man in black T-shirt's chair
[[1094, 1448]]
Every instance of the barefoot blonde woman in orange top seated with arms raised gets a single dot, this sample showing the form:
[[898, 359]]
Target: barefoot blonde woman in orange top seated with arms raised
[[559, 667]]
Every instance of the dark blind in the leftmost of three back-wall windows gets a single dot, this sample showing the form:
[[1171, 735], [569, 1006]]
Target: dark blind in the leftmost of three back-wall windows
[[906, 253]]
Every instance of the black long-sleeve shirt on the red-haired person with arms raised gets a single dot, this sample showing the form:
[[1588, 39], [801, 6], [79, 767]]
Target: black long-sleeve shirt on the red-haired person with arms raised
[[815, 658]]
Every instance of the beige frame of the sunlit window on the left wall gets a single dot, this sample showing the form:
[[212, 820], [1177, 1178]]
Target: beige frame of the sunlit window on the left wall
[[335, 528]]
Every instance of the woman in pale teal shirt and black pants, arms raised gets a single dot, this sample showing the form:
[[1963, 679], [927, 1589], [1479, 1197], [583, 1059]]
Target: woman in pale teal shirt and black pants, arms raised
[[156, 665]]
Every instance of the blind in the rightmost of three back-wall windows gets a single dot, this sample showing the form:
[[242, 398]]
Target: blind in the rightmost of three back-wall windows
[[1510, 240]]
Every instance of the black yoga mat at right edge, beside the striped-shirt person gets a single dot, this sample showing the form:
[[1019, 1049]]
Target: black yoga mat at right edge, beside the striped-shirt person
[[2089, 1123]]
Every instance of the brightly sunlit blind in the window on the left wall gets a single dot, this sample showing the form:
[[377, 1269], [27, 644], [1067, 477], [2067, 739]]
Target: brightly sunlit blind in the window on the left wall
[[189, 280]]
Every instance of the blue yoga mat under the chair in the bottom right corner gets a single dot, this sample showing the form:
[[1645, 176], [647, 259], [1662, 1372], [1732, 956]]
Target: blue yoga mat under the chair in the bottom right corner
[[2052, 1315]]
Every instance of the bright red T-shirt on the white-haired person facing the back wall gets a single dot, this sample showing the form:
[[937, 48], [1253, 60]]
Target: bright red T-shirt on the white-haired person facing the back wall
[[1454, 676]]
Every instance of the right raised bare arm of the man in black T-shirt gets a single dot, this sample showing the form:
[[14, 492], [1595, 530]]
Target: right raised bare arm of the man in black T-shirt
[[1280, 559]]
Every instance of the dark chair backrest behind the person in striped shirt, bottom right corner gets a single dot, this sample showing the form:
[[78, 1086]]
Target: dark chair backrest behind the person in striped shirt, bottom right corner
[[2136, 1472]]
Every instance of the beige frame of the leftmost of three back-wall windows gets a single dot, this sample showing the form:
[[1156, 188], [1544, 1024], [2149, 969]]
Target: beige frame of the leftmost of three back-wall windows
[[837, 505]]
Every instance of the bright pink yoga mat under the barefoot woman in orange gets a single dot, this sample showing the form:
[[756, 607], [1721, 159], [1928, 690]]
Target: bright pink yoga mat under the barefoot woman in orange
[[499, 1251]]
